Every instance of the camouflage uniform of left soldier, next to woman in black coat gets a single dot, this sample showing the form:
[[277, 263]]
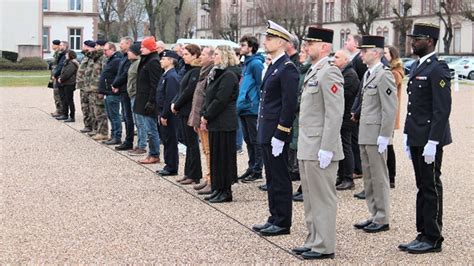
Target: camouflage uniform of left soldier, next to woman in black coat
[[80, 84]]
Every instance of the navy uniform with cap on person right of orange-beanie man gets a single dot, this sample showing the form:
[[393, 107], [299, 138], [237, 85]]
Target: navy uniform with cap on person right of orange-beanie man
[[165, 92]]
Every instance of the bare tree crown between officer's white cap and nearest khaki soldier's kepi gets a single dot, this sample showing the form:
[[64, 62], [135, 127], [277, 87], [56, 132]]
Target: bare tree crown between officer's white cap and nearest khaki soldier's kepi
[[294, 15]]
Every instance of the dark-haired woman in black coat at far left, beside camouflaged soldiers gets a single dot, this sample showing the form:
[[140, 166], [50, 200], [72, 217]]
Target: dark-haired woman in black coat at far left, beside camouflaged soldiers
[[67, 79]]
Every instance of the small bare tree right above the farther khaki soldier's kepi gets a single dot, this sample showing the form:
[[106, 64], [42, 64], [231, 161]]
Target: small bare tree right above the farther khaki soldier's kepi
[[363, 13]]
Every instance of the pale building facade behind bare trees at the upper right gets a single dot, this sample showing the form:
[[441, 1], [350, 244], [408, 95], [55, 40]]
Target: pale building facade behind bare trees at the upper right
[[334, 14]]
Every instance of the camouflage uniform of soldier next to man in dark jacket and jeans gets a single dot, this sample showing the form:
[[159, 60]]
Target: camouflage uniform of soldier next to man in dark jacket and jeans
[[91, 86]]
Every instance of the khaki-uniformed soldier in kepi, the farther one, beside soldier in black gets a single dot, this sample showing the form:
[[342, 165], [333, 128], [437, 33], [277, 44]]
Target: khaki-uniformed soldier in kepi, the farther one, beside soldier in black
[[377, 121]]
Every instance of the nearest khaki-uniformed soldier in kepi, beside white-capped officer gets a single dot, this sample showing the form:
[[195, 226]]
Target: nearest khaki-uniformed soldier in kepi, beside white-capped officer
[[319, 145]]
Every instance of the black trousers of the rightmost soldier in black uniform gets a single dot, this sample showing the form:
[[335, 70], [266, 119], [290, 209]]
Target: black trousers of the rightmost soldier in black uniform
[[429, 199]]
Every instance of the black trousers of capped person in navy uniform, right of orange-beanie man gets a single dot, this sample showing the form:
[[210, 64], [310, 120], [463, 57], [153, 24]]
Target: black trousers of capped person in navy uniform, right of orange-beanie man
[[170, 144]]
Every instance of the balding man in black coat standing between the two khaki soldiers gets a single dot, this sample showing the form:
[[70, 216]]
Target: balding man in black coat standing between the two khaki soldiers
[[351, 87]]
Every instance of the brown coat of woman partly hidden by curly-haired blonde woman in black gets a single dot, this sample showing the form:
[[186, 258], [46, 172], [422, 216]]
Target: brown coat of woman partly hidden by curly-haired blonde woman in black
[[198, 97]]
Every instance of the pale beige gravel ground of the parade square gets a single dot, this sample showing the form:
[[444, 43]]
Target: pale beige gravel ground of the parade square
[[68, 199]]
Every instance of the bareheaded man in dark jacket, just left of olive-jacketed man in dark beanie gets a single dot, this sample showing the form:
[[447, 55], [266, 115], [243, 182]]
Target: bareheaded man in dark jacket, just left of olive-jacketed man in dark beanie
[[120, 85]]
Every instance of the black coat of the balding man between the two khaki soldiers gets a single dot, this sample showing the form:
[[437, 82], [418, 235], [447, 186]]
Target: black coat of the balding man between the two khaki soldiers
[[351, 88]]
